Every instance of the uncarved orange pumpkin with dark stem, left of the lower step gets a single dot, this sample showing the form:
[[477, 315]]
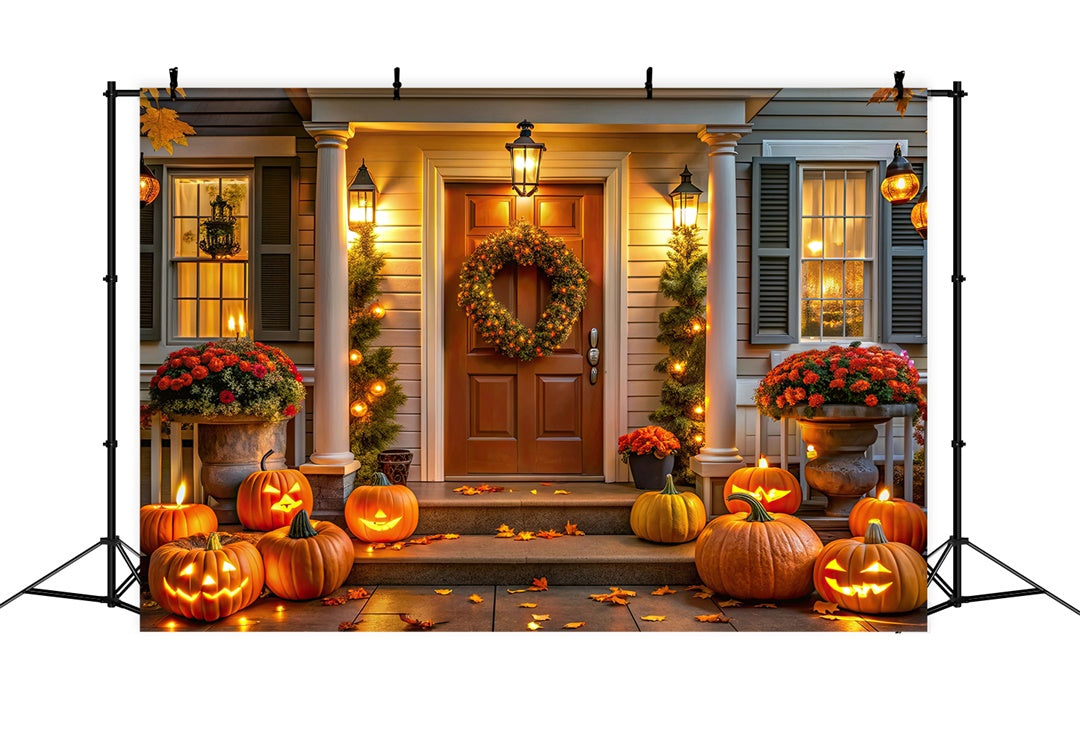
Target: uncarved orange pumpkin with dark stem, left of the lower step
[[307, 559]]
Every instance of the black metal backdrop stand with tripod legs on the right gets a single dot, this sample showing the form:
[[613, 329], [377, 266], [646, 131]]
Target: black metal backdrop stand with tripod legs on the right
[[957, 542]]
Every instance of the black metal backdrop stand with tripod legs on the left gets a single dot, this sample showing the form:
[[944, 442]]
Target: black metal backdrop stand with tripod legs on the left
[[112, 542]]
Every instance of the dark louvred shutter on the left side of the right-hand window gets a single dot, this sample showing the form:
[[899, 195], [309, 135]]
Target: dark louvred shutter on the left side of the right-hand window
[[774, 313]]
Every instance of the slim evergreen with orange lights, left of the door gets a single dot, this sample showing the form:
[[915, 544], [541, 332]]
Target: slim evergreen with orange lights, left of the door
[[376, 430]]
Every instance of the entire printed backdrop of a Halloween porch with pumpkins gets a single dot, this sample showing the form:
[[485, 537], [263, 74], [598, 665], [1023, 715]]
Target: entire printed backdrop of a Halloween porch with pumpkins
[[507, 360]]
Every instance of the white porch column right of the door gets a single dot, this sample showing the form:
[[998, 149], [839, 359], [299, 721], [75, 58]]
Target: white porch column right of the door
[[720, 457]]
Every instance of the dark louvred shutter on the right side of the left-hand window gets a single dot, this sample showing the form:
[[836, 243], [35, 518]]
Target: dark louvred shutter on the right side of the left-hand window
[[275, 267]]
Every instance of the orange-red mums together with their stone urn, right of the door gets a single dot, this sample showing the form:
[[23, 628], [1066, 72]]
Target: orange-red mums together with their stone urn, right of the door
[[840, 396]]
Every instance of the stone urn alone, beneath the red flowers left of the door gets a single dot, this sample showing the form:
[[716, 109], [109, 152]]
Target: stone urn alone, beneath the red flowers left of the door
[[232, 449]]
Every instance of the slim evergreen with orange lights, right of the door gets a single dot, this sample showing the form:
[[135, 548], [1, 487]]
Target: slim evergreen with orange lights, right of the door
[[684, 282]]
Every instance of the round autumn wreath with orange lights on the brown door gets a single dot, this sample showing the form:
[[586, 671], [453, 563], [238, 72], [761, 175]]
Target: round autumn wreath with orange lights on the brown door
[[523, 245]]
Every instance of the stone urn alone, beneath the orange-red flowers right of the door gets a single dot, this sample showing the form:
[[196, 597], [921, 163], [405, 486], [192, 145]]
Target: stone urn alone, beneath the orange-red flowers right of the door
[[841, 435]]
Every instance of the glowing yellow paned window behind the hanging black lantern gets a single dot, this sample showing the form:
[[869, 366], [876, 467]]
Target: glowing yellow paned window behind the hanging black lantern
[[209, 291]]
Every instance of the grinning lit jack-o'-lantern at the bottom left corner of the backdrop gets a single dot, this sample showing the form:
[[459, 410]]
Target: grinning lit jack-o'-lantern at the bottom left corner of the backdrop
[[207, 578]]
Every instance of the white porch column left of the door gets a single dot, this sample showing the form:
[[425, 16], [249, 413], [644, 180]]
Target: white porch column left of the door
[[331, 447]]
